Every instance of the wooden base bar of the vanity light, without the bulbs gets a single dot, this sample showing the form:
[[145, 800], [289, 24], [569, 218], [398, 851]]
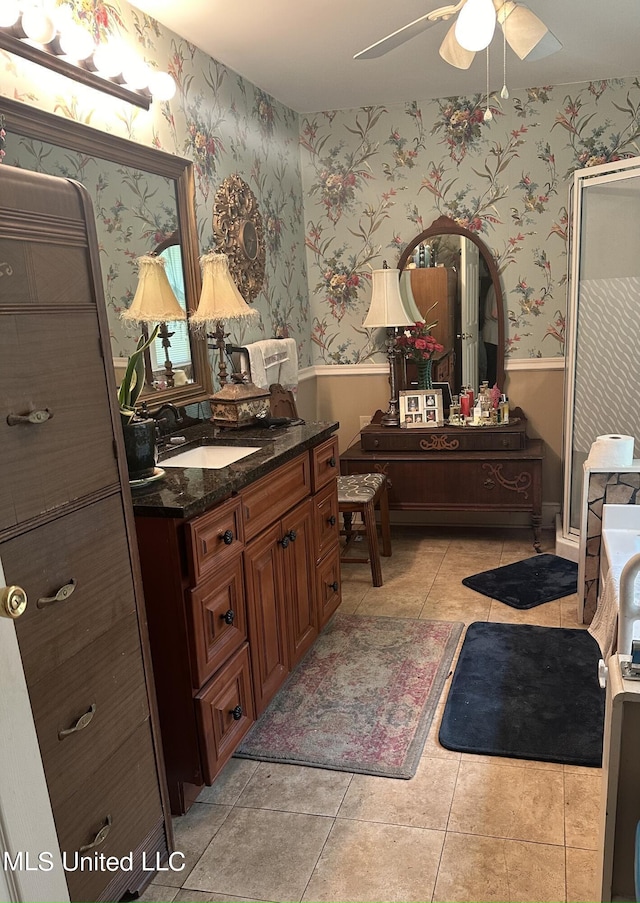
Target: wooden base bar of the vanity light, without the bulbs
[[14, 40]]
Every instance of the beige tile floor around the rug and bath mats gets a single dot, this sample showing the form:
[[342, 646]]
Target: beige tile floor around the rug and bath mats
[[465, 828]]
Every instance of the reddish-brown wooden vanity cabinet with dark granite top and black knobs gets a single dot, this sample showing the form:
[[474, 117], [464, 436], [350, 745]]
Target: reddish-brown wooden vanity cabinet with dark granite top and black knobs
[[237, 589]]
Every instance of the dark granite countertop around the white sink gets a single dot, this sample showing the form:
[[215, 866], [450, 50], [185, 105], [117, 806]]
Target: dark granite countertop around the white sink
[[184, 492]]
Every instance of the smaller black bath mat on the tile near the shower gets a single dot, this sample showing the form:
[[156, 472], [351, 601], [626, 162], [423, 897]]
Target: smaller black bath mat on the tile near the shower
[[528, 583]]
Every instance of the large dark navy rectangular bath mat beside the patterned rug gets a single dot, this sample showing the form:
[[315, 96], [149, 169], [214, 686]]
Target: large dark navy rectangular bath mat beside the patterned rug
[[526, 693]]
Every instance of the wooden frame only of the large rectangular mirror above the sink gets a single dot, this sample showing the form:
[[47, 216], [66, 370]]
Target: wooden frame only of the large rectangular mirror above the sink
[[29, 122]]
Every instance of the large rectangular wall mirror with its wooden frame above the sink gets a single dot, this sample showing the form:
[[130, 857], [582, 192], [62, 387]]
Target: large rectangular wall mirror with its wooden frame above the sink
[[144, 203]]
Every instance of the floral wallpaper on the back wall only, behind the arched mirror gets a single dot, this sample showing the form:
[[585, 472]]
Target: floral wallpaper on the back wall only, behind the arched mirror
[[376, 177]]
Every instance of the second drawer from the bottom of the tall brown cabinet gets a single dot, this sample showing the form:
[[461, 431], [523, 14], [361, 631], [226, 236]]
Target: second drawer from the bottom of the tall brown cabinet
[[108, 677]]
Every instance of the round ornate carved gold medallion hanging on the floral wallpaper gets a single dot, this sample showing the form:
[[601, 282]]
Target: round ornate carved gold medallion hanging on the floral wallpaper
[[238, 230]]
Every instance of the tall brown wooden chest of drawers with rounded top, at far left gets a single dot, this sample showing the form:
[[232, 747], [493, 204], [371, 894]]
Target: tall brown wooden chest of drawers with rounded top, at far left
[[66, 538]]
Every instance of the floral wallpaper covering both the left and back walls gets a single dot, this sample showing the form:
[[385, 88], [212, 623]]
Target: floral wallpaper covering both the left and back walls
[[340, 191]]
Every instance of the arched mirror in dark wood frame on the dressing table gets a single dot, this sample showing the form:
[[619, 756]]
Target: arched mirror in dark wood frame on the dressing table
[[452, 277]]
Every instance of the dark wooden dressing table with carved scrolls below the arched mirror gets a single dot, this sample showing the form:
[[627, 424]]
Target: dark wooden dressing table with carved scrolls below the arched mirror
[[455, 468]]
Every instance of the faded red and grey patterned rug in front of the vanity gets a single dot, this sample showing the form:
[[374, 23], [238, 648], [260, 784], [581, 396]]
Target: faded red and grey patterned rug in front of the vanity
[[362, 699]]
